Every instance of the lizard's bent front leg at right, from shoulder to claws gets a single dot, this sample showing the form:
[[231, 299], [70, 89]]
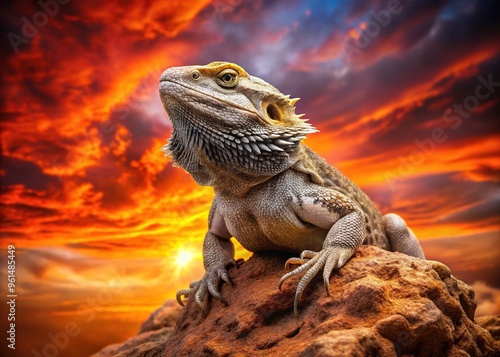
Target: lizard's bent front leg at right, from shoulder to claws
[[345, 223]]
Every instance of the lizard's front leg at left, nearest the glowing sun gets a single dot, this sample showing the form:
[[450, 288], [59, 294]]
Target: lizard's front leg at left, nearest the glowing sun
[[218, 254]]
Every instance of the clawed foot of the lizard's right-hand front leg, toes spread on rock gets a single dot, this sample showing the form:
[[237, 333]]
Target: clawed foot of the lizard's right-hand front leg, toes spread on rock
[[328, 258]]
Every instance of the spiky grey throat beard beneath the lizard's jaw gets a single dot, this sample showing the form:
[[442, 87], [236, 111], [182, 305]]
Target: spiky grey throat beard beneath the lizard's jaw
[[255, 151]]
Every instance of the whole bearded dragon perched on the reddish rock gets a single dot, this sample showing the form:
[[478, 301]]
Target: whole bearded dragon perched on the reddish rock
[[240, 135]]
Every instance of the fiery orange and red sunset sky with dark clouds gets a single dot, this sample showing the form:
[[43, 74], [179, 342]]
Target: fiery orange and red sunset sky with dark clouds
[[406, 96]]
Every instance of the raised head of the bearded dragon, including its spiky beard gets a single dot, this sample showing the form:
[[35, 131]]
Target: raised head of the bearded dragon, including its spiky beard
[[226, 120]]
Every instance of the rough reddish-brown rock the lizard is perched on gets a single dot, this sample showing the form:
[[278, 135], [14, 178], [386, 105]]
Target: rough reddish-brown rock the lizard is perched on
[[381, 304]]
